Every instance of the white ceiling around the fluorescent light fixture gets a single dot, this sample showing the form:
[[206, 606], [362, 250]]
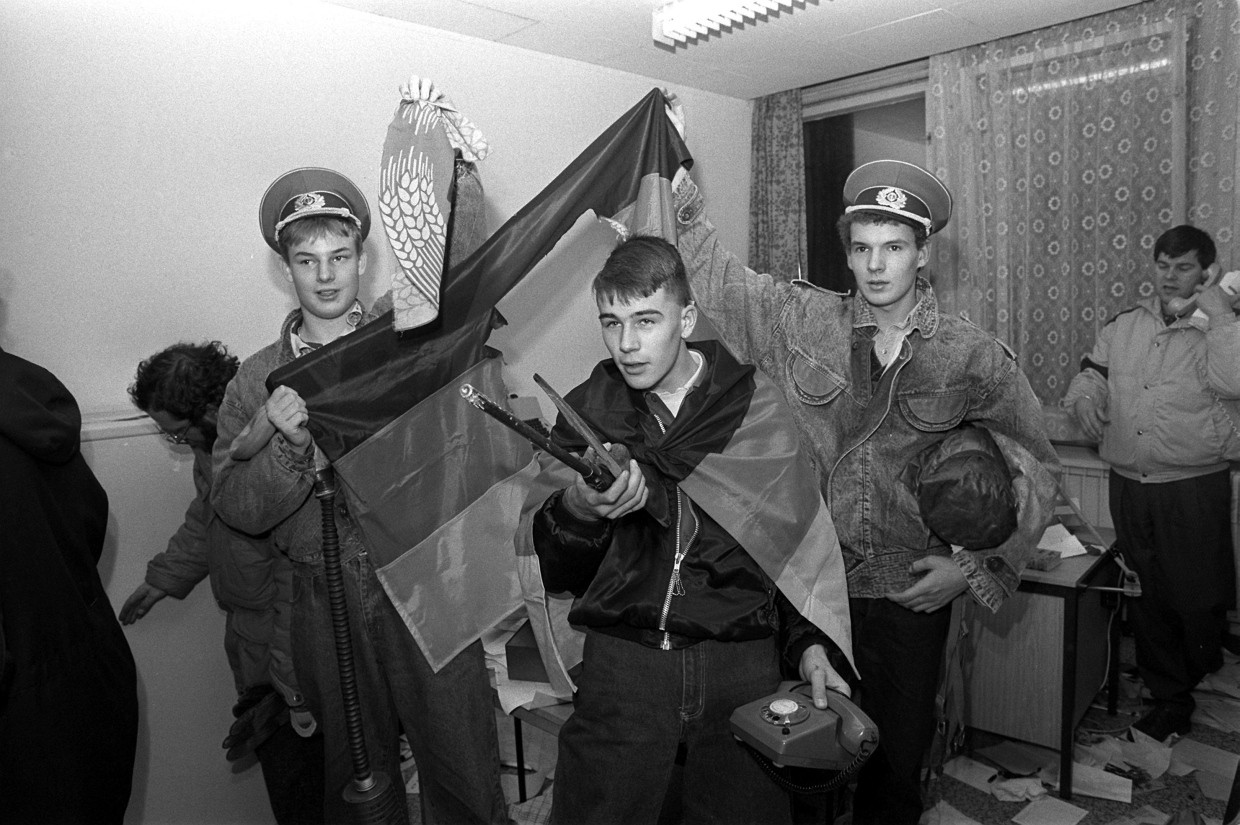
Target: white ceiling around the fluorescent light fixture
[[819, 42]]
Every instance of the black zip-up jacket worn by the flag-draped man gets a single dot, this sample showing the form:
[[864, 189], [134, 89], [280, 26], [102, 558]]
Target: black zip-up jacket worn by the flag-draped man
[[626, 571]]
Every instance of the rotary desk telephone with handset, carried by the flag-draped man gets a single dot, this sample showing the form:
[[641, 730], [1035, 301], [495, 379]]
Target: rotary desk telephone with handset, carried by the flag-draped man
[[790, 731]]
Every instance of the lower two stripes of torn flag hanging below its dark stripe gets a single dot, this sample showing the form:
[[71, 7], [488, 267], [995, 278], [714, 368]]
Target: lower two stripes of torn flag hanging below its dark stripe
[[438, 494]]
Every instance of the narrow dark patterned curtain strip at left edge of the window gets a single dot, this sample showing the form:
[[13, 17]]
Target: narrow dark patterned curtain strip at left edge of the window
[[777, 188]]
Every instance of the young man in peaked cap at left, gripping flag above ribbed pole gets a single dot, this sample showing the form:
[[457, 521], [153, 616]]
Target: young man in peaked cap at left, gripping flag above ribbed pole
[[317, 220]]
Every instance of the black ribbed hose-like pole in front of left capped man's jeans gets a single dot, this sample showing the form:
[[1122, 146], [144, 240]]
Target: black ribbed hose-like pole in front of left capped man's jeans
[[374, 798]]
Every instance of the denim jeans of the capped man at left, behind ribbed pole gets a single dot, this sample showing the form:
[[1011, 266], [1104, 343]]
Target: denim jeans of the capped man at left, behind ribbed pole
[[448, 716]]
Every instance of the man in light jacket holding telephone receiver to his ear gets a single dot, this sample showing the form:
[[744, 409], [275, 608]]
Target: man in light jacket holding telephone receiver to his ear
[[1160, 393]]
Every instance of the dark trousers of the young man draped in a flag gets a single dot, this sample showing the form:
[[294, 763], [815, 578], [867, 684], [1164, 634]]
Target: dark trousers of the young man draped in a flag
[[635, 705]]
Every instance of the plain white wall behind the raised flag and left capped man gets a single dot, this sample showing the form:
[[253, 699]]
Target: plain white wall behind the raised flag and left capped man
[[136, 142]]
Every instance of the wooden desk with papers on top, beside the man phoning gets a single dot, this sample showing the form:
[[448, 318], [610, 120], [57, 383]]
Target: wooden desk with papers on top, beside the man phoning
[[1038, 664]]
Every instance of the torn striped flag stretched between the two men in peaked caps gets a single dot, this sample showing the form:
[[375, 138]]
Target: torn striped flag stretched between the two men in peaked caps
[[436, 487]]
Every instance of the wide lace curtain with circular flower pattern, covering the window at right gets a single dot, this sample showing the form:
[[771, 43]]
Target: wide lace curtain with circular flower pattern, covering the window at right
[[1067, 153]]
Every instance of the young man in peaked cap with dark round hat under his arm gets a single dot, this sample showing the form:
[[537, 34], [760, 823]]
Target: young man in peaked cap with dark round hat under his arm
[[874, 380]]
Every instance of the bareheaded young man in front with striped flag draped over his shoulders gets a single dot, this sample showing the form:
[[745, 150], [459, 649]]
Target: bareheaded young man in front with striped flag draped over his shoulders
[[710, 545]]
